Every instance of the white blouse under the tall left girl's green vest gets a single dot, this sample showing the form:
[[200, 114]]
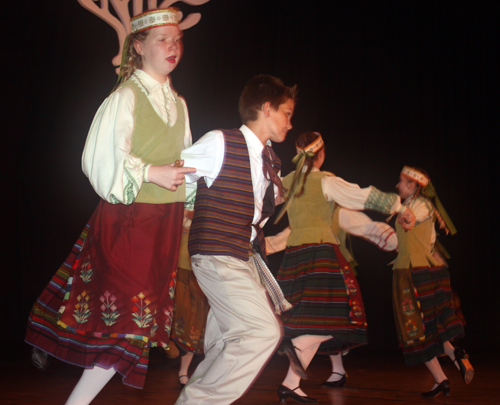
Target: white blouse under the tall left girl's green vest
[[106, 159]]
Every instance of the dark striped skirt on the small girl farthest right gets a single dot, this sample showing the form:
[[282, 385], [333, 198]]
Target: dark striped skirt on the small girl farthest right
[[435, 307]]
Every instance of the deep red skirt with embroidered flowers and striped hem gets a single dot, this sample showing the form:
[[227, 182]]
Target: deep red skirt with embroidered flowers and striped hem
[[112, 299]]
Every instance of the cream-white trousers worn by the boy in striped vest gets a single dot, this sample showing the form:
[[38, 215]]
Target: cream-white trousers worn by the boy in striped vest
[[242, 331]]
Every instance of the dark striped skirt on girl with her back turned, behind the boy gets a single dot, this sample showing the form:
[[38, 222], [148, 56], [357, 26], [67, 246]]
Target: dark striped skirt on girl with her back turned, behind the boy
[[326, 299]]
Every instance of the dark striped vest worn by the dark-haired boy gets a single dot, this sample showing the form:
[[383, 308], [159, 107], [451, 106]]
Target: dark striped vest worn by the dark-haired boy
[[223, 213]]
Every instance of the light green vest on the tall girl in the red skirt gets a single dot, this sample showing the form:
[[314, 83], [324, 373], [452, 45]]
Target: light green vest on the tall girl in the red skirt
[[156, 143]]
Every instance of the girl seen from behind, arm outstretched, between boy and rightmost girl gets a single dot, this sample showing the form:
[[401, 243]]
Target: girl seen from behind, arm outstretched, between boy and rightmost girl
[[315, 277]]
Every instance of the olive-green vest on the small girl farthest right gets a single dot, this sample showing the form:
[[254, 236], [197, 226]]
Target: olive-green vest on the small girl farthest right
[[415, 246]]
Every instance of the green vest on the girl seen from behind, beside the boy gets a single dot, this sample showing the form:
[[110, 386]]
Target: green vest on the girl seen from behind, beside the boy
[[310, 215]]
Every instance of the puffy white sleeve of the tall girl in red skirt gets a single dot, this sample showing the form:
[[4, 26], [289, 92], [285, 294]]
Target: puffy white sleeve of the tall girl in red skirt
[[114, 173]]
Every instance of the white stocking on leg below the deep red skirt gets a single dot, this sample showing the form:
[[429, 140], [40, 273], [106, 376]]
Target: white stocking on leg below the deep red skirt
[[90, 384]]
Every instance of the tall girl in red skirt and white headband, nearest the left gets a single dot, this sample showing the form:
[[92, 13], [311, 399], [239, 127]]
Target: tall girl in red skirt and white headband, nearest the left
[[112, 299]]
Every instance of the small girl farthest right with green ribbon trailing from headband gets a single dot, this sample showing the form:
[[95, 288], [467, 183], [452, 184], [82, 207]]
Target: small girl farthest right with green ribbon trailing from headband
[[422, 298]]
